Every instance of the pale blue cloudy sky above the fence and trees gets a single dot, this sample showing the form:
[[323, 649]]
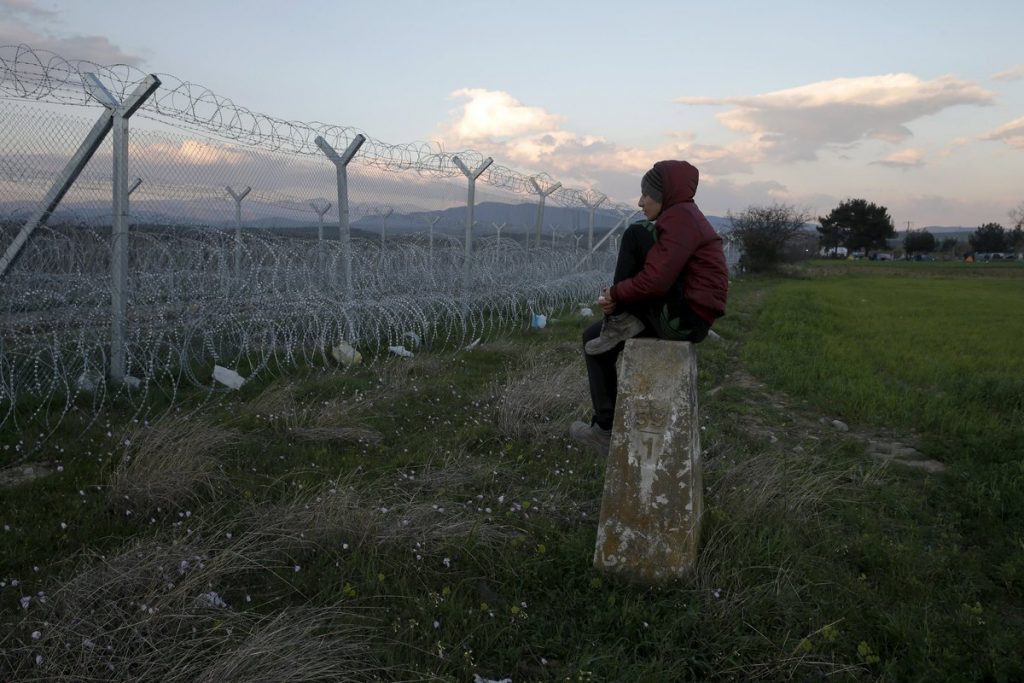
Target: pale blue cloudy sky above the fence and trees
[[917, 106]]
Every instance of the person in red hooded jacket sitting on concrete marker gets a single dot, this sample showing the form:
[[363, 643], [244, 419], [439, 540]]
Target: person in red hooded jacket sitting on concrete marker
[[671, 282]]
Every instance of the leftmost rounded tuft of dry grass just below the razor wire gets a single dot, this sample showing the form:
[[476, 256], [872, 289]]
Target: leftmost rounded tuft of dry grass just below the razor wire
[[170, 464]]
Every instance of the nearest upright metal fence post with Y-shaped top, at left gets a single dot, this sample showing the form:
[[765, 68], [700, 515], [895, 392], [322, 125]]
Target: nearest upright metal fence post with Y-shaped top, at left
[[120, 113]]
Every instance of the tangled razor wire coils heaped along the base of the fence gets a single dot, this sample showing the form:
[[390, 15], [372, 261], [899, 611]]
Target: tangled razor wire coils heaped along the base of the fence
[[284, 308]]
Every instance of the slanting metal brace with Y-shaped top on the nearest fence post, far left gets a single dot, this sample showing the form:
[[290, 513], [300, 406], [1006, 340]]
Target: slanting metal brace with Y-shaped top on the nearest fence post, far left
[[81, 157]]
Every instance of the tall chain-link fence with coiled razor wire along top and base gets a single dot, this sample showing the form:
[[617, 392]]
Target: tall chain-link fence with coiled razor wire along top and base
[[236, 257]]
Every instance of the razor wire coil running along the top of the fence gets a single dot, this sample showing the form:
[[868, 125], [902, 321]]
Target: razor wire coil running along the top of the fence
[[40, 75]]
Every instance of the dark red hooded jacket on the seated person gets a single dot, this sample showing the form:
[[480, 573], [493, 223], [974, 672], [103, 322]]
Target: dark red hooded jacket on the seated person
[[688, 247]]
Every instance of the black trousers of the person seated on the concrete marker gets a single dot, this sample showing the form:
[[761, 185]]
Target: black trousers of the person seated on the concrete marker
[[637, 241]]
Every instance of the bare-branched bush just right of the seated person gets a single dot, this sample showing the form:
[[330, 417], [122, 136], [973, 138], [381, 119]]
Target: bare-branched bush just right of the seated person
[[764, 232]]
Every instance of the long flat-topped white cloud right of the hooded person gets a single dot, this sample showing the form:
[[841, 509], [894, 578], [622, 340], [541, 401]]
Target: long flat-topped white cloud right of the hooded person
[[796, 124]]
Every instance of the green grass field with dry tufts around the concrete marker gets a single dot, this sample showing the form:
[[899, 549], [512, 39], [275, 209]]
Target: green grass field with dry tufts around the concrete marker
[[426, 520]]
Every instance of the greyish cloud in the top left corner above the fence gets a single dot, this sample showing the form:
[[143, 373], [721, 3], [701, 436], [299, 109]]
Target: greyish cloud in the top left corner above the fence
[[25, 22]]
